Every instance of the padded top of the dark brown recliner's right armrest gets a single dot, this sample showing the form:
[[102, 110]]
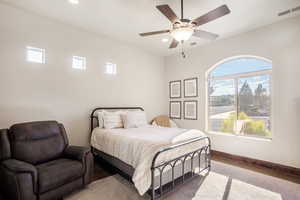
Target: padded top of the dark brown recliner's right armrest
[[76, 152]]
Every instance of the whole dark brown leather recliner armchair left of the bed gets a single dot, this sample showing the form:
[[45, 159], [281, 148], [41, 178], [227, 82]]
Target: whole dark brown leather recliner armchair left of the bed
[[37, 163]]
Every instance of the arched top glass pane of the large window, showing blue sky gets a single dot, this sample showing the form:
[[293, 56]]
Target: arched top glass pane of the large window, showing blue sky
[[240, 65]]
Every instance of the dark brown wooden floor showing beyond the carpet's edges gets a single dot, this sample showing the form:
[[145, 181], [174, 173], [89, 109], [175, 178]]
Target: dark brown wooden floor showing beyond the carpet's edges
[[103, 170]]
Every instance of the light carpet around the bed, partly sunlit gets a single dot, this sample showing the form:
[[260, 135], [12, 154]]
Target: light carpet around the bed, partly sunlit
[[225, 182]]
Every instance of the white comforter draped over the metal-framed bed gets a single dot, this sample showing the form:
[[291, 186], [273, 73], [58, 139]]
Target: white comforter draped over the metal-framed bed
[[137, 147]]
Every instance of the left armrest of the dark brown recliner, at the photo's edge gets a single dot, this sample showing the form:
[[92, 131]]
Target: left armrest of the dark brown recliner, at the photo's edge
[[17, 174]]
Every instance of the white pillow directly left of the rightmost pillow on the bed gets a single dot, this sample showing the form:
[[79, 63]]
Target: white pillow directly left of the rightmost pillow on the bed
[[112, 119]]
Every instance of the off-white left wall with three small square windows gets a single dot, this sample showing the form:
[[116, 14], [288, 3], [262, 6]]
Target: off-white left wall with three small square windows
[[55, 90]]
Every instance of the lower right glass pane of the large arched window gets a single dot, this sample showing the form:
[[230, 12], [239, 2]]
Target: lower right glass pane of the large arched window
[[254, 106]]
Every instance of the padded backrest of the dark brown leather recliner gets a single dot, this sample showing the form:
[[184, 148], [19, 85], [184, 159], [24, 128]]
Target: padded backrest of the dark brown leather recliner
[[37, 142]]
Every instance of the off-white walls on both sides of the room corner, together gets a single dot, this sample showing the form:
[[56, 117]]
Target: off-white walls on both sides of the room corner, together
[[56, 91]]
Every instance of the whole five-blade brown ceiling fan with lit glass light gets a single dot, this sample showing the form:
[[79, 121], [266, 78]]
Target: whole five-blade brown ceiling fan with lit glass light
[[182, 29]]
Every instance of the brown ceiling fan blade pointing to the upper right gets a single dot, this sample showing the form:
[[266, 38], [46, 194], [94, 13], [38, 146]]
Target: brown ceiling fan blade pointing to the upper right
[[212, 15]]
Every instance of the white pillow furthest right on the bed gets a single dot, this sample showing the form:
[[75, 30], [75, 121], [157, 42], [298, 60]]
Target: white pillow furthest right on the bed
[[134, 119]]
